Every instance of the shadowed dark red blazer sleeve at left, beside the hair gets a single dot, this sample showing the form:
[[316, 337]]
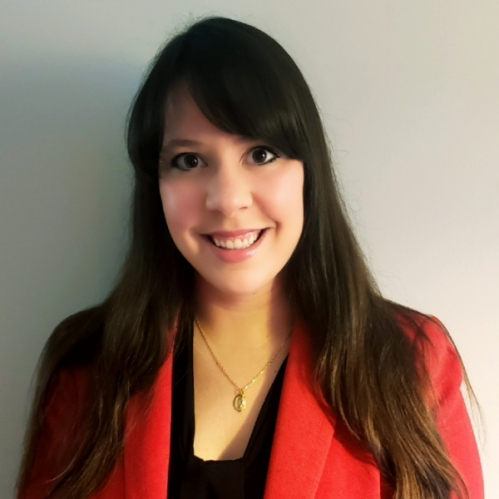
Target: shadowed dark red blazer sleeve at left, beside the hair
[[57, 441]]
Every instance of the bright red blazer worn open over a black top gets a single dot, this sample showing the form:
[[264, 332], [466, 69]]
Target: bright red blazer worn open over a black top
[[312, 455]]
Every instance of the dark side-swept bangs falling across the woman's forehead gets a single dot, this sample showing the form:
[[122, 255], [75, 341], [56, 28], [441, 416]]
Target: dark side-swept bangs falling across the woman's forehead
[[238, 83]]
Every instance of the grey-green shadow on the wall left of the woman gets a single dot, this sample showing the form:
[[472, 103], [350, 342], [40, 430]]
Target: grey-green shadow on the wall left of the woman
[[64, 188]]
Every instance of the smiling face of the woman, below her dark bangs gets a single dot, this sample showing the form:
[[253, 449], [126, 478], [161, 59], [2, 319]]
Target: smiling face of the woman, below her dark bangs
[[234, 206]]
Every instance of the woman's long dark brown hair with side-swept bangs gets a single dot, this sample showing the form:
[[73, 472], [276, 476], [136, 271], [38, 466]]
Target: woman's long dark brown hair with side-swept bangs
[[245, 83]]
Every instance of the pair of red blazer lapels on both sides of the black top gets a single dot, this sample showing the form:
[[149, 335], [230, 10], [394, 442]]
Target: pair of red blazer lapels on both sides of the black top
[[301, 444]]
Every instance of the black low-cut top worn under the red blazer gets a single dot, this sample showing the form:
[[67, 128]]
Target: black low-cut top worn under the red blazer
[[191, 477]]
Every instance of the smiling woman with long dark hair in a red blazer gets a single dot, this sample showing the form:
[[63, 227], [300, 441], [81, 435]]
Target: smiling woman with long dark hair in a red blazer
[[245, 351]]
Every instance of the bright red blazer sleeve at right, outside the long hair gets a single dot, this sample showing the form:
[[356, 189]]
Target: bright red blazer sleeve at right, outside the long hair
[[446, 373]]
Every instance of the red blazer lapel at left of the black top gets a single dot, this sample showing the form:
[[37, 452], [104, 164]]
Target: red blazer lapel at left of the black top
[[147, 440]]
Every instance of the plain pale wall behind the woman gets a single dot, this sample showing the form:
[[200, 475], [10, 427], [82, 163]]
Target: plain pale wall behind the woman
[[409, 92]]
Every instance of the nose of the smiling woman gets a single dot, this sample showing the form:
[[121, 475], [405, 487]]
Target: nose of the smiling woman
[[228, 190]]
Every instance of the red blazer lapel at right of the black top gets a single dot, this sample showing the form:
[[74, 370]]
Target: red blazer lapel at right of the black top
[[303, 433]]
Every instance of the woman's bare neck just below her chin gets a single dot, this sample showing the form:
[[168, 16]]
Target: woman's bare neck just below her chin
[[261, 319]]
